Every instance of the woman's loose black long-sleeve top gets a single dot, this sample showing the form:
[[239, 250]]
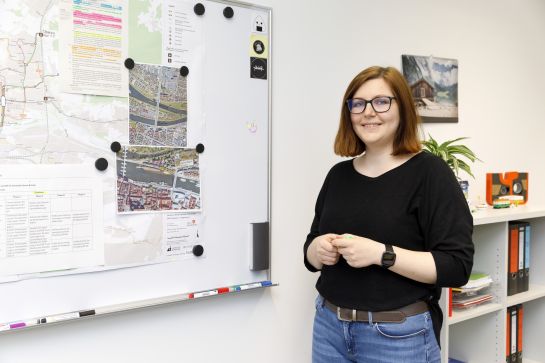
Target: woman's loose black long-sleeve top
[[418, 206]]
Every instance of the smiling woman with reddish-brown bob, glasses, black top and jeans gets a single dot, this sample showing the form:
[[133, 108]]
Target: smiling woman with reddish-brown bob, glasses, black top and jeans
[[391, 228]]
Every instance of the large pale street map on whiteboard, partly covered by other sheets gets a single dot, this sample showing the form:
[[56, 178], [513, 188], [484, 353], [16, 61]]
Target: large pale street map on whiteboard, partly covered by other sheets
[[42, 124]]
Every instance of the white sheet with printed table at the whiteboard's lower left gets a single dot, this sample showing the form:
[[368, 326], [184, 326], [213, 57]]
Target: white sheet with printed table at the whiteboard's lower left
[[50, 218]]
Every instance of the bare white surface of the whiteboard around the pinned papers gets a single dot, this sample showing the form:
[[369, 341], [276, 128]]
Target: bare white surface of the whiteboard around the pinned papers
[[234, 180]]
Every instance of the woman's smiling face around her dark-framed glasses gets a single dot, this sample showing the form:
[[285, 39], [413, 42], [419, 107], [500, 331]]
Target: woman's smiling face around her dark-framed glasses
[[376, 130]]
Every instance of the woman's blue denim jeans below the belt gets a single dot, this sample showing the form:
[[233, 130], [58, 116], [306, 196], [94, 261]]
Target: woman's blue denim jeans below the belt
[[333, 340]]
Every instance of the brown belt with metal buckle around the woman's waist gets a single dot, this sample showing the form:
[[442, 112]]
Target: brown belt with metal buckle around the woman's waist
[[389, 316]]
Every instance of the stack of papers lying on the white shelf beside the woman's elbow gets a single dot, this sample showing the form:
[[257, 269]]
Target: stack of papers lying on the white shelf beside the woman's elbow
[[473, 293]]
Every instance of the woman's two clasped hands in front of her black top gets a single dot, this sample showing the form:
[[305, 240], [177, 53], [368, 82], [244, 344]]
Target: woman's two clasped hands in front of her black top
[[357, 251]]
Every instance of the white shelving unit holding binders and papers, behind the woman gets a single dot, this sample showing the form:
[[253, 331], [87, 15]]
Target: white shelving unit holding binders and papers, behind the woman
[[477, 334]]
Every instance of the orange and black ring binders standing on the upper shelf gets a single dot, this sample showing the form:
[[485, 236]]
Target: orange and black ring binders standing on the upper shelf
[[518, 274]]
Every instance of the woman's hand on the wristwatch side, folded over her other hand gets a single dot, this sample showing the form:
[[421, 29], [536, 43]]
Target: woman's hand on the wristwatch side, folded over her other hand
[[358, 251]]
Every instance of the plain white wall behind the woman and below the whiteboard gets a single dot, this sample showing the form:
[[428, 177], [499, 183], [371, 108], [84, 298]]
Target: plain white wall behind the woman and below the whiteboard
[[318, 46]]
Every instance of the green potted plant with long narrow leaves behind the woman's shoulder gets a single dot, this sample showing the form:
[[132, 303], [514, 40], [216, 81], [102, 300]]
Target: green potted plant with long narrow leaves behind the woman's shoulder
[[451, 153]]
